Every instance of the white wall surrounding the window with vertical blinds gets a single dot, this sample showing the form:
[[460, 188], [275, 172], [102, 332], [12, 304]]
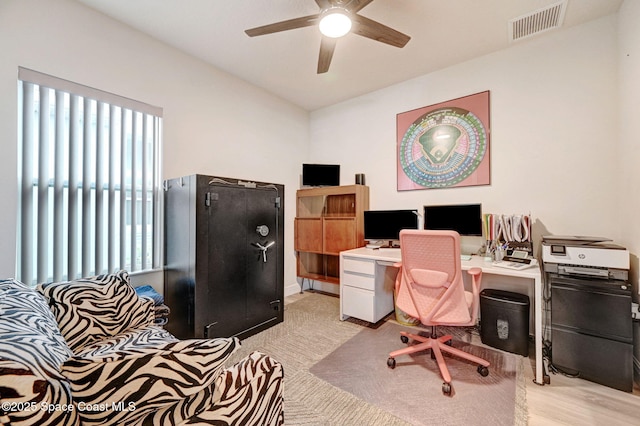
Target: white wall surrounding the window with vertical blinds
[[214, 123]]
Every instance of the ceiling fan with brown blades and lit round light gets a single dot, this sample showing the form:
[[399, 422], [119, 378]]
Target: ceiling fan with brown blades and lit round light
[[333, 14]]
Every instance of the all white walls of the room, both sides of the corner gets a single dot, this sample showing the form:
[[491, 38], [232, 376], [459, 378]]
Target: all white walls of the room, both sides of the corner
[[563, 146]]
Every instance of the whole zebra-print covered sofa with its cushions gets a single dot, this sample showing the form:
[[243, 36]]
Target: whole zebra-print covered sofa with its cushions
[[121, 369]]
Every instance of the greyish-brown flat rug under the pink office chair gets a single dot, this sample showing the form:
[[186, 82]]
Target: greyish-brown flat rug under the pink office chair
[[413, 390]]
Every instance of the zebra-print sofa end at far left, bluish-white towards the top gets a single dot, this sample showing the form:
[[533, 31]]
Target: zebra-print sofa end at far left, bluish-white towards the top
[[32, 389]]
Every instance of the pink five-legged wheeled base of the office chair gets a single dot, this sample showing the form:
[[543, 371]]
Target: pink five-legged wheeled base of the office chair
[[438, 345]]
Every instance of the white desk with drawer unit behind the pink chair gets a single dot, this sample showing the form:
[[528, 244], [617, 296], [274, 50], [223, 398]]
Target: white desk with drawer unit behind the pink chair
[[366, 288]]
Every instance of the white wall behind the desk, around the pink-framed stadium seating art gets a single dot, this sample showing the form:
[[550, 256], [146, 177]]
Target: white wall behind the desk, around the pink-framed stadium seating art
[[554, 118]]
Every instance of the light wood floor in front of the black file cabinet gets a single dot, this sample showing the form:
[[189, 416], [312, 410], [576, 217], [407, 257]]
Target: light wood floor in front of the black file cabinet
[[572, 401]]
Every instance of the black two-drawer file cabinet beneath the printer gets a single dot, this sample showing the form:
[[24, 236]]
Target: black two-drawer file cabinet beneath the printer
[[591, 329]]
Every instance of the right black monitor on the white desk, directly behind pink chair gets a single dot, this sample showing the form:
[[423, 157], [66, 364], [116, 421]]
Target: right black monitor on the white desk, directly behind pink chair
[[466, 219]]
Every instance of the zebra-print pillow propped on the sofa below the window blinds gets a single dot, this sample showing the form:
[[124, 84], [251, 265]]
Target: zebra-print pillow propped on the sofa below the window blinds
[[90, 309]]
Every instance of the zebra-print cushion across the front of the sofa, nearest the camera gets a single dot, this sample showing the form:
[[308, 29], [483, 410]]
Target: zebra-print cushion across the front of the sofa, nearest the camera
[[139, 381]]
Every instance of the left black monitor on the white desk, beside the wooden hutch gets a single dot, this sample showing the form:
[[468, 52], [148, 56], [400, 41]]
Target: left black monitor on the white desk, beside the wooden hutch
[[385, 225]]
